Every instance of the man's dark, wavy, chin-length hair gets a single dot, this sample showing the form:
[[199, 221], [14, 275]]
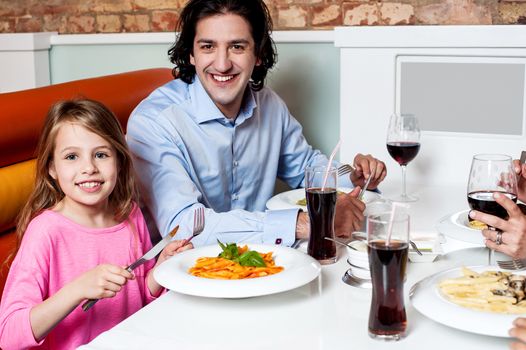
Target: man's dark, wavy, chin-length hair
[[255, 12]]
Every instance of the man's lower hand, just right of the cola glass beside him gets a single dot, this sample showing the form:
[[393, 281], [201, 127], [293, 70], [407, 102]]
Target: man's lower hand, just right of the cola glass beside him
[[349, 213]]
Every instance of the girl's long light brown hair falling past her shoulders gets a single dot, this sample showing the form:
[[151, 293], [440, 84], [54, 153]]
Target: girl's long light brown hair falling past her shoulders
[[98, 119]]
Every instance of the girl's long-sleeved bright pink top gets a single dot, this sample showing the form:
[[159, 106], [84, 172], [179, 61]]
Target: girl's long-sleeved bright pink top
[[56, 250]]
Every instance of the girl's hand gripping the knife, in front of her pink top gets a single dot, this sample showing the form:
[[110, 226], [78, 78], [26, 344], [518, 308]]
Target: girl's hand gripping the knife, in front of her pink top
[[103, 281]]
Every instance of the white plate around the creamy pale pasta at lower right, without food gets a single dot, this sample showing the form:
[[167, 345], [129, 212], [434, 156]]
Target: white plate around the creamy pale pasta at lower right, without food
[[427, 299]]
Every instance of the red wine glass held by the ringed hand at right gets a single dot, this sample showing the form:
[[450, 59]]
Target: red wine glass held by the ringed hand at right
[[491, 173]]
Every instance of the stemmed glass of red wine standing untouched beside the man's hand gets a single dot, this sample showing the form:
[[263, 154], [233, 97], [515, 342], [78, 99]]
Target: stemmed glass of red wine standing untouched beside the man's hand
[[403, 144]]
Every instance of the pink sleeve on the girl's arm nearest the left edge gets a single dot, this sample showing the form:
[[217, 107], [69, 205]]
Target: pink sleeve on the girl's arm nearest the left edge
[[25, 287]]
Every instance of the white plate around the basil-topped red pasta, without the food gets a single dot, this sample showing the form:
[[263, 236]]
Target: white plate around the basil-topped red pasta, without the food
[[299, 269]]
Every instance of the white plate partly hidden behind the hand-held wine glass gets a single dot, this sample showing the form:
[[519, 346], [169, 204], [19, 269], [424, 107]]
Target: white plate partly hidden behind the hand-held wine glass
[[456, 226]]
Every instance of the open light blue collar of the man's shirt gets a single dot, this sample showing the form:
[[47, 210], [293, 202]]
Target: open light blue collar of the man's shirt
[[206, 110]]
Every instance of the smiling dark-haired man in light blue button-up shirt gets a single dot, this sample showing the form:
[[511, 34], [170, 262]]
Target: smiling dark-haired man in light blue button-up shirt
[[217, 138]]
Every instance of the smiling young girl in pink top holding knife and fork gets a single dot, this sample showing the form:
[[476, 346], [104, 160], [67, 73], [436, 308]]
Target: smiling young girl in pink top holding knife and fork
[[79, 229]]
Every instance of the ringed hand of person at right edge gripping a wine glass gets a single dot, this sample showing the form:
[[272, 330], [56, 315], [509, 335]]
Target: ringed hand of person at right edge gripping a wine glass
[[513, 230]]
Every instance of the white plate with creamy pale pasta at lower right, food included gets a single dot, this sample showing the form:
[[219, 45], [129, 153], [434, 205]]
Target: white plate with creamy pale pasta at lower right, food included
[[475, 299]]
